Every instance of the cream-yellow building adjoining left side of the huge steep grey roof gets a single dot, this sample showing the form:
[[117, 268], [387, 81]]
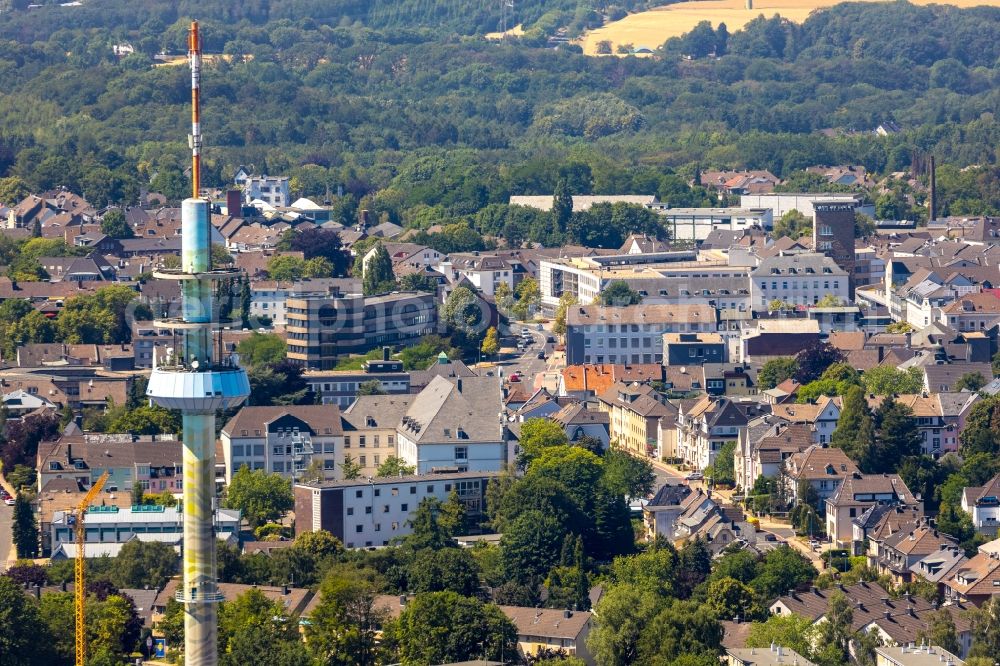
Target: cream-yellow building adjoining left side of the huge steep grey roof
[[369, 425]]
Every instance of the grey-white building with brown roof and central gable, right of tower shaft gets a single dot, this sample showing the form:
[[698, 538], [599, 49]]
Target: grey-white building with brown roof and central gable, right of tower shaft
[[285, 440]]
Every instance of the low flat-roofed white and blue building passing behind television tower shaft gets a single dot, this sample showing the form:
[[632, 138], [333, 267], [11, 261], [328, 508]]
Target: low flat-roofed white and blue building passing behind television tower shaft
[[113, 525]]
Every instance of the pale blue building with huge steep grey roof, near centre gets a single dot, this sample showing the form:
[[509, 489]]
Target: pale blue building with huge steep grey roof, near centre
[[454, 425]]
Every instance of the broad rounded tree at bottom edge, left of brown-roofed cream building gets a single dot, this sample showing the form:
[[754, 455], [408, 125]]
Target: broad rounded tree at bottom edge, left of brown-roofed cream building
[[445, 627]]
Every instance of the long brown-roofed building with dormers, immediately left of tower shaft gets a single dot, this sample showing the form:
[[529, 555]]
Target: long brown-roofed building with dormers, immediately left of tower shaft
[[155, 462]]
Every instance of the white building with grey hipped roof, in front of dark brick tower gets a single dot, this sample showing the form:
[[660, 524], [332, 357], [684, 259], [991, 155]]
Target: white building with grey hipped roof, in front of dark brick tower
[[797, 279]]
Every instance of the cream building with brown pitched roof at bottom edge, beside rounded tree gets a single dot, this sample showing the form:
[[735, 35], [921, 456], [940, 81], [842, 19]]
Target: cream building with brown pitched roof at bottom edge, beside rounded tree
[[548, 630]]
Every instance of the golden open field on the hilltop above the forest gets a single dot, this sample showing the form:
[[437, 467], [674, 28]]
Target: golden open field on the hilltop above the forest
[[651, 28]]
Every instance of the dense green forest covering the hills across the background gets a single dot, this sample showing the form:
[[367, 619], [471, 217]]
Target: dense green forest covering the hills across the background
[[427, 124]]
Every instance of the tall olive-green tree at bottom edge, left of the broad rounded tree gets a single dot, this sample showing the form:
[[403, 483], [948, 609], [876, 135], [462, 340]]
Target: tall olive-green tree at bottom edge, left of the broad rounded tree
[[344, 625]]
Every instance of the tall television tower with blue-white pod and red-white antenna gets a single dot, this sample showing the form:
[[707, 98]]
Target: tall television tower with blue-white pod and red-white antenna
[[195, 381]]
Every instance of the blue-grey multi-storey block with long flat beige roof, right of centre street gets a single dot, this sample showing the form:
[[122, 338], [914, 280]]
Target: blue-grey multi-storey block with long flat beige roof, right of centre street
[[630, 334]]
